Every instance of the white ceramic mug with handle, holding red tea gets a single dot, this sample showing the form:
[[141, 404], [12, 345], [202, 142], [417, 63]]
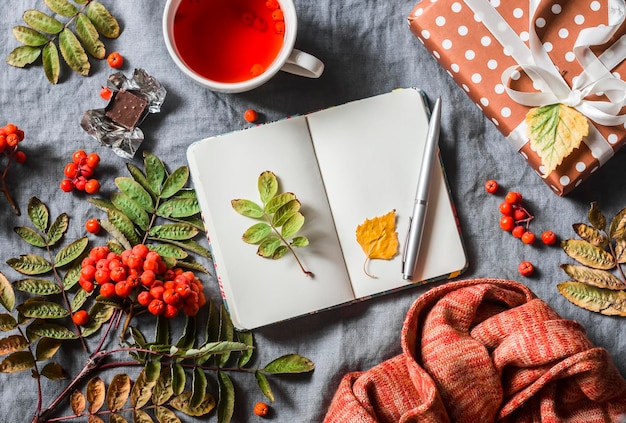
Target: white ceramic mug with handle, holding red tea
[[288, 59]]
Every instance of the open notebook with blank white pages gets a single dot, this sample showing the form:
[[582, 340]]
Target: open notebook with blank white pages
[[345, 164]]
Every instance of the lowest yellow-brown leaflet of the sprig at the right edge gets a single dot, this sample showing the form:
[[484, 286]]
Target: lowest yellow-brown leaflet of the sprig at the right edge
[[604, 301]]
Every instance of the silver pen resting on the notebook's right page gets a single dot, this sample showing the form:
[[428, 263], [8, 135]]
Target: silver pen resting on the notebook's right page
[[418, 216]]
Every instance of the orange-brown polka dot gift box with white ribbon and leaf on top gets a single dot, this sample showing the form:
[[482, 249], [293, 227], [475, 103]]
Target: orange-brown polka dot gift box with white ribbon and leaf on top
[[523, 63]]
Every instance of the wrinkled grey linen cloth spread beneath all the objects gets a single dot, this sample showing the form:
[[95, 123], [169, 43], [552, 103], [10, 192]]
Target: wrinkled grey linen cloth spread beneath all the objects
[[368, 50]]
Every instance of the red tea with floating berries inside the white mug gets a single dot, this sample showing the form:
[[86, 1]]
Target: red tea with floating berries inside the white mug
[[229, 40]]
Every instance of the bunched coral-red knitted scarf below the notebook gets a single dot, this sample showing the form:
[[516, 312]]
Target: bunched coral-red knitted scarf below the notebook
[[485, 351]]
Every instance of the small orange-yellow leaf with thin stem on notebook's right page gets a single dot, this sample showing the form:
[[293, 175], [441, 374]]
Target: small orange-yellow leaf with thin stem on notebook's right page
[[378, 238]]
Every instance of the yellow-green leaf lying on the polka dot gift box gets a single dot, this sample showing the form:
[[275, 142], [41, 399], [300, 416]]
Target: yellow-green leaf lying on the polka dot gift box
[[554, 132]]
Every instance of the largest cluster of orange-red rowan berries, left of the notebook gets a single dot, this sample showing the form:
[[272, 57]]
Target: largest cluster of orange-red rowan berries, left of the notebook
[[141, 275]]
